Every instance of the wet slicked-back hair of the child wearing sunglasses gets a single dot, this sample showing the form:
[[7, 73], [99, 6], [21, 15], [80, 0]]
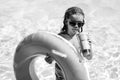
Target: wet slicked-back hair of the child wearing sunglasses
[[70, 11]]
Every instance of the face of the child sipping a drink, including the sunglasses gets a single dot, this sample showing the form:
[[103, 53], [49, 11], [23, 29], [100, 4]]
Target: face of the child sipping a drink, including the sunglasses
[[75, 22]]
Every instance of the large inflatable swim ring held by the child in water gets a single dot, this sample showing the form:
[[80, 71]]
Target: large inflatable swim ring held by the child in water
[[45, 43]]
